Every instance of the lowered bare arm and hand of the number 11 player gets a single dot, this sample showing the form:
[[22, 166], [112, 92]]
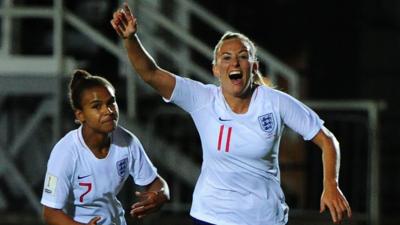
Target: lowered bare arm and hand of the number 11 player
[[332, 197]]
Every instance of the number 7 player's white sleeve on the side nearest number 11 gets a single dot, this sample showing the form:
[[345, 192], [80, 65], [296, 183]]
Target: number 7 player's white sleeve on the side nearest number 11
[[142, 170]]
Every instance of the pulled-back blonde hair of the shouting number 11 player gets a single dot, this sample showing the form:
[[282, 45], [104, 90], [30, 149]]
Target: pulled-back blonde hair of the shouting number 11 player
[[258, 78]]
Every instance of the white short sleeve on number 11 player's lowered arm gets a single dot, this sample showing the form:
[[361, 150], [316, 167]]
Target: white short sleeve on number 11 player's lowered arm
[[299, 117]]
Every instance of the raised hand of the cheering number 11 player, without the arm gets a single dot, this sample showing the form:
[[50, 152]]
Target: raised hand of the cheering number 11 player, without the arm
[[124, 23]]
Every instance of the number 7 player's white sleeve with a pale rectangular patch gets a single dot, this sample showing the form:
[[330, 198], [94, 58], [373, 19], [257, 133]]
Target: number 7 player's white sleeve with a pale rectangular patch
[[57, 184]]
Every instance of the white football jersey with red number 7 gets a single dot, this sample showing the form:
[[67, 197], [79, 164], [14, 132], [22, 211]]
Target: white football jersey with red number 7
[[85, 186]]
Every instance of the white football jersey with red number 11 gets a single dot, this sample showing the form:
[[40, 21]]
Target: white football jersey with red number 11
[[240, 181]]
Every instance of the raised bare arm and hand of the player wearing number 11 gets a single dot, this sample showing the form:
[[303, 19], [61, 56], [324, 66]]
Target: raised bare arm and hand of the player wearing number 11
[[124, 23]]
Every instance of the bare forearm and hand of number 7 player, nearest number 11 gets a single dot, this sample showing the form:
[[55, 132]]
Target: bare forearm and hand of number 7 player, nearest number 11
[[150, 200]]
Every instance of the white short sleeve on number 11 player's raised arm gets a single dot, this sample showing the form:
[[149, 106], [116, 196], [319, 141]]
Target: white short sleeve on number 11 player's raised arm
[[190, 95]]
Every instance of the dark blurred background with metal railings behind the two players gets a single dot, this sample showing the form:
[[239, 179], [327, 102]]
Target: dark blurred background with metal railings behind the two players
[[340, 57]]
